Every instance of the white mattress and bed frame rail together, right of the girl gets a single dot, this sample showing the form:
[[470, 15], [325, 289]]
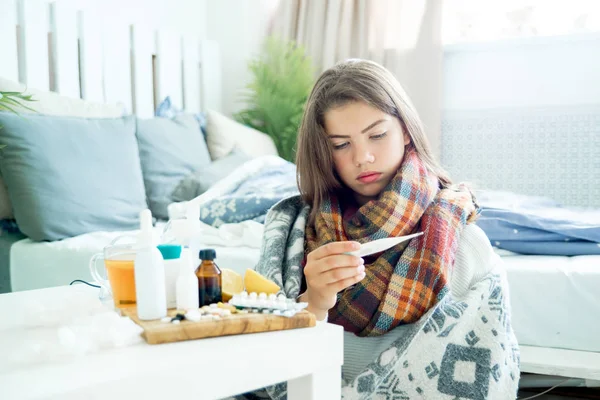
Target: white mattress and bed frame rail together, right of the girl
[[555, 307]]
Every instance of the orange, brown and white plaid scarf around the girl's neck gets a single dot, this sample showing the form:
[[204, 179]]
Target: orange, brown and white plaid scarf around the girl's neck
[[404, 282]]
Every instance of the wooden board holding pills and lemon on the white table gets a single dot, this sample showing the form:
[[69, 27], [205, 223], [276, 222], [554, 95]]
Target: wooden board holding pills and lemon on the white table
[[157, 332]]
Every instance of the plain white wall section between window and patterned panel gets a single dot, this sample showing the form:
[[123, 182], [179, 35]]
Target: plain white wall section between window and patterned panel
[[522, 73]]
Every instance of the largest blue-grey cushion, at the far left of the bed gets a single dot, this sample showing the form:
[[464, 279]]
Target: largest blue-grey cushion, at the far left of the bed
[[67, 176]]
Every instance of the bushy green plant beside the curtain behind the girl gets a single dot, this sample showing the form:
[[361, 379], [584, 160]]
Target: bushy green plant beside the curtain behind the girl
[[282, 77]]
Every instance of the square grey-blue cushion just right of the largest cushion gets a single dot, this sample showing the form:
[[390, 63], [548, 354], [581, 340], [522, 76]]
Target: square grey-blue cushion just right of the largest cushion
[[170, 150]]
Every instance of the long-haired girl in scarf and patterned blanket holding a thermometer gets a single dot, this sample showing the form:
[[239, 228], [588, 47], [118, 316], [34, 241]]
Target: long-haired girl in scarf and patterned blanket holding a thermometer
[[365, 172]]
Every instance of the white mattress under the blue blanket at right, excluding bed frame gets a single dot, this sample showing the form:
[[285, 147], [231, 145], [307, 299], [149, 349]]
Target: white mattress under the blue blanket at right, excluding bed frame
[[555, 300]]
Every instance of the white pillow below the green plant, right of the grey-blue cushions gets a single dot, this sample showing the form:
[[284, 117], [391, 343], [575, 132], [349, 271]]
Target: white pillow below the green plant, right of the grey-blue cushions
[[223, 134]]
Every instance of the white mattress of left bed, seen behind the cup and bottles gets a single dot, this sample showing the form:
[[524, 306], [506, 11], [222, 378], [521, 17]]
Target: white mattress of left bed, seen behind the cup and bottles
[[36, 265]]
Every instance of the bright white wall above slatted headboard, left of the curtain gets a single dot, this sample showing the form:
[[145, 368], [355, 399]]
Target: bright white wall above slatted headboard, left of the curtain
[[239, 26]]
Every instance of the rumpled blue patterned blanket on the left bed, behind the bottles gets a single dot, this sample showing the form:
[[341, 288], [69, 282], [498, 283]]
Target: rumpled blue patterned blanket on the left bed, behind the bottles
[[250, 192]]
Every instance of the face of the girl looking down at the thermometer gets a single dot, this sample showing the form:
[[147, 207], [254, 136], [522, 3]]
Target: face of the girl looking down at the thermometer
[[368, 147]]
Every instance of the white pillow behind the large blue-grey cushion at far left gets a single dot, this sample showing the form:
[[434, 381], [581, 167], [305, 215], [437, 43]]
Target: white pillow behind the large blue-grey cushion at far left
[[50, 103]]
